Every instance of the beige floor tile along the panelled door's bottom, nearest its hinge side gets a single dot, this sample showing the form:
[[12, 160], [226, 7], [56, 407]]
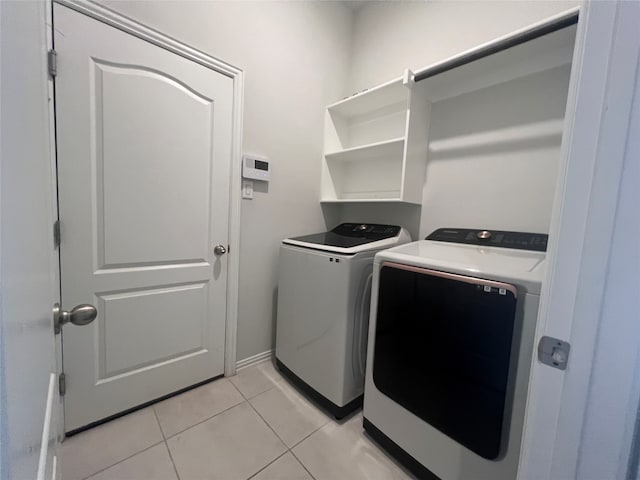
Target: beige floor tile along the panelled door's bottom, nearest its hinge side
[[96, 449]]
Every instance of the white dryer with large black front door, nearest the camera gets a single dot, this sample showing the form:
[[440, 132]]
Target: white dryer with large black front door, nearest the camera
[[450, 348]]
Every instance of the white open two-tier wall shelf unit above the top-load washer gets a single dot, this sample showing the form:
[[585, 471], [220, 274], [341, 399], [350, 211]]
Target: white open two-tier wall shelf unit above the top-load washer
[[375, 148]]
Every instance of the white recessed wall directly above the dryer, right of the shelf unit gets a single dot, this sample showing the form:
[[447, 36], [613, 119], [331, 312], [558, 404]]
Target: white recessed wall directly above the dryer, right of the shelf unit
[[506, 185]]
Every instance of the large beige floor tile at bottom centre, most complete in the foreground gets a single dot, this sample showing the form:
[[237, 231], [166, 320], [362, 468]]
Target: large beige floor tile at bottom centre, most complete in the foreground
[[232, 445]]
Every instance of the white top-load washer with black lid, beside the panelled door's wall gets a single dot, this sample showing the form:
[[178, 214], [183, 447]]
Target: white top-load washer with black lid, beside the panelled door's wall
[[323, 310]]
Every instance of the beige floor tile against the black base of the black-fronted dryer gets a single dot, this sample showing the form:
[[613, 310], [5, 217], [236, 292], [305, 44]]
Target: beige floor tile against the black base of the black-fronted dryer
[[342, 451]]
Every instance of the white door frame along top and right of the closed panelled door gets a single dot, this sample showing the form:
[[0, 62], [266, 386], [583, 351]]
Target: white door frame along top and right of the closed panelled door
[[166, 42]]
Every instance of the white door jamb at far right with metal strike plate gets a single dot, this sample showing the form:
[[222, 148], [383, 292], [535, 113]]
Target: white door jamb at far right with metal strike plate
[[596, 127]]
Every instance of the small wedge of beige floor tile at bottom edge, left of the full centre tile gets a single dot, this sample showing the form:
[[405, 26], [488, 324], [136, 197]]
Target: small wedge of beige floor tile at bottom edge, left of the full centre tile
[[154, 463]]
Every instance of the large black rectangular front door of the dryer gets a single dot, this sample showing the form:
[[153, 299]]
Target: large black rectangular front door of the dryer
[[443, 351]]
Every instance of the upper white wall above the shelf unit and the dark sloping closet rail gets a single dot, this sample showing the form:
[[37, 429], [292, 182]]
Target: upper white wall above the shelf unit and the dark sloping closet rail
[[391, 36]]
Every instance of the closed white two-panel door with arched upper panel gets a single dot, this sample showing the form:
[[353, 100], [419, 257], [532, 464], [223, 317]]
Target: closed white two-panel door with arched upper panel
[[144, 152]]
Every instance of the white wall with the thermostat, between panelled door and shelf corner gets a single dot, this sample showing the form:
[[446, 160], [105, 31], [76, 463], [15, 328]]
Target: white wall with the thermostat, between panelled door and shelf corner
[[295, 57]]
